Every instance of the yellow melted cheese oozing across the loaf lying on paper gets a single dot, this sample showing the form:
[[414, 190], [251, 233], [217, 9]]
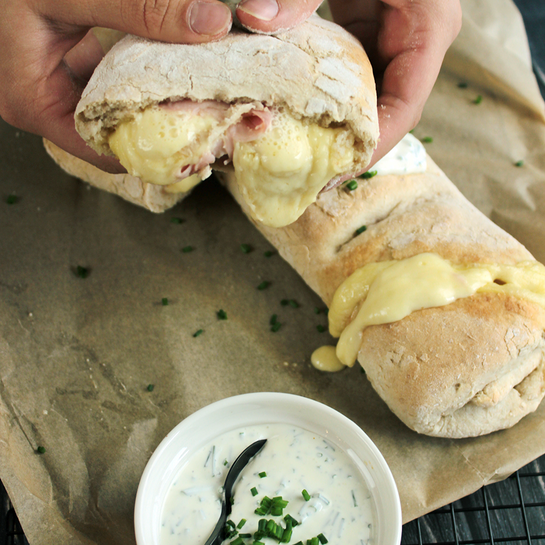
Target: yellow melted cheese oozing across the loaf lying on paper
[[385, 292]]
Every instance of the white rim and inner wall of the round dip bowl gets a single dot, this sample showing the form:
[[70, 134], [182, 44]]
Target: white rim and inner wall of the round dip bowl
[[232, 413]]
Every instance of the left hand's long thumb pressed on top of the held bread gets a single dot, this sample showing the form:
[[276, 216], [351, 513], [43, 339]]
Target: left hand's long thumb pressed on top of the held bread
[[177, 21]]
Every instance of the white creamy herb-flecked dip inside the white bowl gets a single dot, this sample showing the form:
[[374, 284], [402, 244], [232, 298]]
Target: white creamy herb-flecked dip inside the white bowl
[[340, 506]]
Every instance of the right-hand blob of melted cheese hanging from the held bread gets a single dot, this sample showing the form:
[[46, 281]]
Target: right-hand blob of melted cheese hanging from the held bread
[[280, 174]]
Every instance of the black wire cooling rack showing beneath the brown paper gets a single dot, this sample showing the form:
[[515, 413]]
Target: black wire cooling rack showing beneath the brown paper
[[510, 512]]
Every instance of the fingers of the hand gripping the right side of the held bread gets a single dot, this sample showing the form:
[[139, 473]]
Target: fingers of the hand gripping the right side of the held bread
[[406, 41]]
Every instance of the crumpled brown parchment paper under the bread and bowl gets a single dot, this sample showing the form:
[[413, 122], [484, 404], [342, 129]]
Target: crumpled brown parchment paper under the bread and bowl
[[77, 354]]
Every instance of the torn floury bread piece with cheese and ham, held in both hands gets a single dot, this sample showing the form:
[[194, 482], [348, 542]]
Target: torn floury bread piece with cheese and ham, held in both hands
[[290, 113]]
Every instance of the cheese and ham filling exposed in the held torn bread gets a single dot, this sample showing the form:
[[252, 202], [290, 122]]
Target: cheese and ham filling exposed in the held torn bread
[[281, 163]]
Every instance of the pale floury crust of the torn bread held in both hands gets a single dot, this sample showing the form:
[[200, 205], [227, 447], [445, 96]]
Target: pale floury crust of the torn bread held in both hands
[[316, 71]]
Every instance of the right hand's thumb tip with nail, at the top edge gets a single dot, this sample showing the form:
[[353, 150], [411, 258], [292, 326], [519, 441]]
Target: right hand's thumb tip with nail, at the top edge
[[270, 16]]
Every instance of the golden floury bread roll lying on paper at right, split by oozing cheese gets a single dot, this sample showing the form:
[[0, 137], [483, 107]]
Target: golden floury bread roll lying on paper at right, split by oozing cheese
[[466, 368]]
